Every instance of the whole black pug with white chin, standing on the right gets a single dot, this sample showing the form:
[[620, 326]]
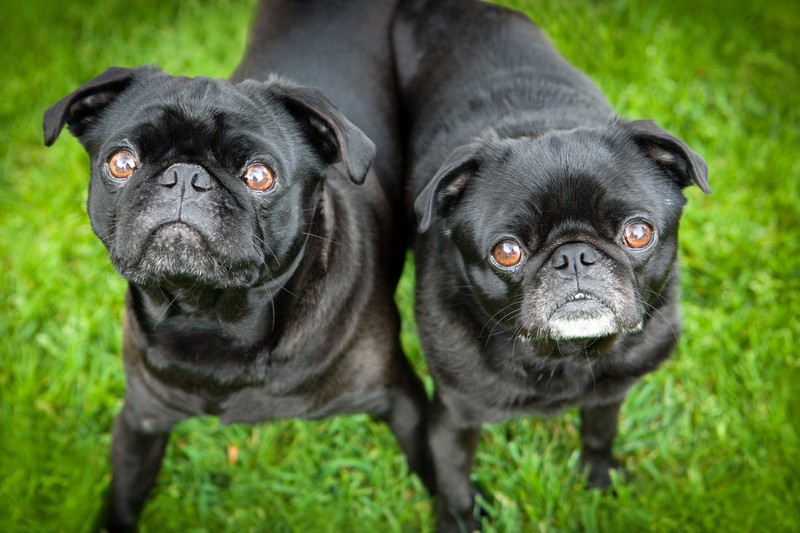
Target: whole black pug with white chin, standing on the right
[[546, 265]]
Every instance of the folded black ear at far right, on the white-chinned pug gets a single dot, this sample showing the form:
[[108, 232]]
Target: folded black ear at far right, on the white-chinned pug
[[671, 153]]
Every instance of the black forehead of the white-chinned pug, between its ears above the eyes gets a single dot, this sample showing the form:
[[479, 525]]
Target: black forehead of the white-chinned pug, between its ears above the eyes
[[571, 177]]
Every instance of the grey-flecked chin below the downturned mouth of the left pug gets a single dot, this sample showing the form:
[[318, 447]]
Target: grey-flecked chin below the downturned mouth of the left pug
[[177, 255]]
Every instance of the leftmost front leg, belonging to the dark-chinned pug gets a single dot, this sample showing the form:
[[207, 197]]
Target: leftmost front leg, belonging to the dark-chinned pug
[[136, 456]]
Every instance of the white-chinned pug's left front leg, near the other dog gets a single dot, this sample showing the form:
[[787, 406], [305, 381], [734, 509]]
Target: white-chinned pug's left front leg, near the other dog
[[453, 446]]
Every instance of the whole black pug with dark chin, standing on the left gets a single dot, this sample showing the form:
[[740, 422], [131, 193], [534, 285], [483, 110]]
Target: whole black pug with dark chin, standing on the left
[[262, 254]]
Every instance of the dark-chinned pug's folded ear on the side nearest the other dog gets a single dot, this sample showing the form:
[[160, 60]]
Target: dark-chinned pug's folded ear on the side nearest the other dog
[[337, 138]]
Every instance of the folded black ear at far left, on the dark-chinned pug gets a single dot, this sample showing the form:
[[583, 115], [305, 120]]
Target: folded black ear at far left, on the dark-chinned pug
[[80, 108]]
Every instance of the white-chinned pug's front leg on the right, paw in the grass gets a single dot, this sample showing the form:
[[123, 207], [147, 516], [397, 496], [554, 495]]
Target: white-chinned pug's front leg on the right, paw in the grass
[[598, 429]]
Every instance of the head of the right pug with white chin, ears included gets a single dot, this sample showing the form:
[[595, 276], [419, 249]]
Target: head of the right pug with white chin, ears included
[[569, 236]]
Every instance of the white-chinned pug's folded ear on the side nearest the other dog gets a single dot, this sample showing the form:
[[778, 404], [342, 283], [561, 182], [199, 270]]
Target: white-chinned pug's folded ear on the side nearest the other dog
[[447, 186]]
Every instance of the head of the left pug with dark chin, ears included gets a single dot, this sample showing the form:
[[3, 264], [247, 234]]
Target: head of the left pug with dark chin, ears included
[[199, 182]]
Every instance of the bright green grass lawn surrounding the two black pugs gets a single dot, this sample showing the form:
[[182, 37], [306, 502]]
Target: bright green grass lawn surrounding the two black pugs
[[710, 441]]
